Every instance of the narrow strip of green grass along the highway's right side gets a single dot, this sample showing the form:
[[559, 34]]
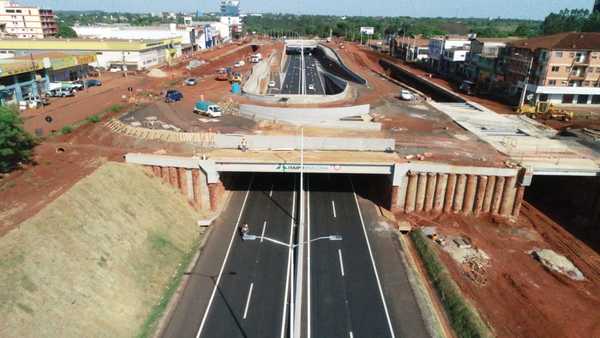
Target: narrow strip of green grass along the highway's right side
[[464, 319]]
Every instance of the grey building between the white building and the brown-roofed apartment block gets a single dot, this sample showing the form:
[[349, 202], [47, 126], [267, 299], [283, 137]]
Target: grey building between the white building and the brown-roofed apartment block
[[485, 61]]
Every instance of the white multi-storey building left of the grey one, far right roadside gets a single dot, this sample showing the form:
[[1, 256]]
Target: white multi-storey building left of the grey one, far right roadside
[[448, 54]]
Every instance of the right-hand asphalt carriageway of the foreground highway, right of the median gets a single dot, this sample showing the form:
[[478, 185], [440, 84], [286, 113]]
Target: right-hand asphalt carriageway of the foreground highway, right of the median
[[344, 293]]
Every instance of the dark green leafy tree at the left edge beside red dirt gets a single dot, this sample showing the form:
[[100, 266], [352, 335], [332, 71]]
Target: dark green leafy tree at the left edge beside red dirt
[[15, 143]]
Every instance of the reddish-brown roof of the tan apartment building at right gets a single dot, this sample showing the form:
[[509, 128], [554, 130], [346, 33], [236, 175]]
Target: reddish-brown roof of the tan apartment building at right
[[561, 41]]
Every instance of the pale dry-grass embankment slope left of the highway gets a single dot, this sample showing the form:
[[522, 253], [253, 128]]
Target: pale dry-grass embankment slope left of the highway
[[95, 261]]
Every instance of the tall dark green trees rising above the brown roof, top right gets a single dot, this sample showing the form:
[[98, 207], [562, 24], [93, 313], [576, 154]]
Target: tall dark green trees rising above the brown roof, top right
[[574, 20]]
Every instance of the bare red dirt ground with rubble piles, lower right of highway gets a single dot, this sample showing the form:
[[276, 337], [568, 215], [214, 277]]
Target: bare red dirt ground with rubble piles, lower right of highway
[[521, 297]]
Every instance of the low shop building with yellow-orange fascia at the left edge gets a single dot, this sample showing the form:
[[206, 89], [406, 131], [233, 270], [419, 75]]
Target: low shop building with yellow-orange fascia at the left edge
[[29, 75]]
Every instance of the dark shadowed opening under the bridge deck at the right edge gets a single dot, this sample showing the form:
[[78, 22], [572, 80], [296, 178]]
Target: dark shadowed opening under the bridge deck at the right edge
[[573, 202]]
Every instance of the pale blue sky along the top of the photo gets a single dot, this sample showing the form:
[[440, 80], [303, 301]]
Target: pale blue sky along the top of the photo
[[530, 9]]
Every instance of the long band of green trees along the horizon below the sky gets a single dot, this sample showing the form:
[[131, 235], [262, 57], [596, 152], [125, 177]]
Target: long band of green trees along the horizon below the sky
[[348, 27]]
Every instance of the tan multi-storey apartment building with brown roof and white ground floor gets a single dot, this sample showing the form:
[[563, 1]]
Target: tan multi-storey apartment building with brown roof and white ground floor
[[562, 69]]
